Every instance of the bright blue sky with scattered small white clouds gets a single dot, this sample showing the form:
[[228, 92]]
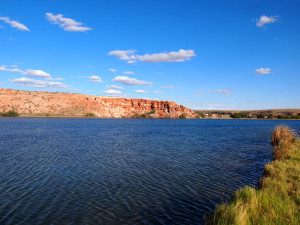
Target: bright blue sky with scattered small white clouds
[[214, 55]]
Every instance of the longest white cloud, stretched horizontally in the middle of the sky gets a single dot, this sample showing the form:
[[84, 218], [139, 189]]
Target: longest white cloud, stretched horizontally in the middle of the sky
[[130, 56]]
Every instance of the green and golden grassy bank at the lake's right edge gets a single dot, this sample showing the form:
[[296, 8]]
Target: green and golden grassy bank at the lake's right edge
[[277, 201]]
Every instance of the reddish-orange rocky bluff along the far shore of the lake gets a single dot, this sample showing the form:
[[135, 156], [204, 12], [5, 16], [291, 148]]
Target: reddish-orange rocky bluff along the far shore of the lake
[[38, 103]]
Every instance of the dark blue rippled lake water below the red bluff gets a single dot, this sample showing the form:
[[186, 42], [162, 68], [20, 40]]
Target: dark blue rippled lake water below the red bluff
[[126, 171]]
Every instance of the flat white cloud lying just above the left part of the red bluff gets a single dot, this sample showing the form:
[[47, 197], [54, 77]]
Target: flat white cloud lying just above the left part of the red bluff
[[39, 83]]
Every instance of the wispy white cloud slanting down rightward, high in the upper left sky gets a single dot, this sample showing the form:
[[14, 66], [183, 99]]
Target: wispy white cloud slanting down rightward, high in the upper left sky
[[66, 23]]
